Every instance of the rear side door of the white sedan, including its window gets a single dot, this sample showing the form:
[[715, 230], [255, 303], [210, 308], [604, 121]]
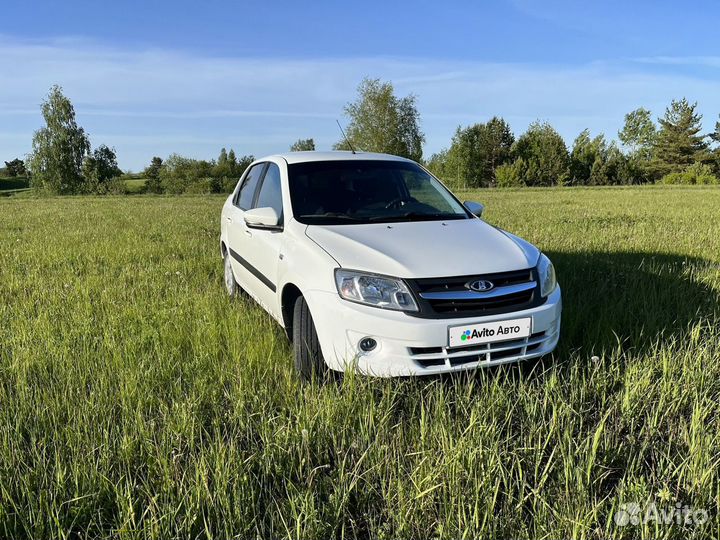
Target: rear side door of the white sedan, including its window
[[237, 231]]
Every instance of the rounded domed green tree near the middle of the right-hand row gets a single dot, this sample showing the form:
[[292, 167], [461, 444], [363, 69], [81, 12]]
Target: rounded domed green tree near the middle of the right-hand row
[[546, 161]]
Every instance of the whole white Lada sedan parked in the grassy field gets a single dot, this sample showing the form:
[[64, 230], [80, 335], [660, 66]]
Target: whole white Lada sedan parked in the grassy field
[[370, 263]]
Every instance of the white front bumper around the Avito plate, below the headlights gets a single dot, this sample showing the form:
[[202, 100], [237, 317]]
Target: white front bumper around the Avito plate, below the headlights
[[409, 345]]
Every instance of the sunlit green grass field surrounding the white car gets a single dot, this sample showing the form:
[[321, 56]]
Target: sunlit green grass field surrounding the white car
[[137, 401]]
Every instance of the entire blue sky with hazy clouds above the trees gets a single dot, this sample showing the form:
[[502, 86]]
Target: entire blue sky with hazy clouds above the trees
[[155, 77]]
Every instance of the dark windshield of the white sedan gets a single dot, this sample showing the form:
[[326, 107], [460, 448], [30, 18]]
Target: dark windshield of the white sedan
[[368, 191]]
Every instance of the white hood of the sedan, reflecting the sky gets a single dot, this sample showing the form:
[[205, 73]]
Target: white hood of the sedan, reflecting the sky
[[425, 248]]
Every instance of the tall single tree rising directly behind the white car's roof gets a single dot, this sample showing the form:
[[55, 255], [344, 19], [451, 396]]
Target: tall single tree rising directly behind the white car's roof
[[381, 122]]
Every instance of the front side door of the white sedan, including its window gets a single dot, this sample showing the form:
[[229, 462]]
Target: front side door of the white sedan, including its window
[[262, 247]]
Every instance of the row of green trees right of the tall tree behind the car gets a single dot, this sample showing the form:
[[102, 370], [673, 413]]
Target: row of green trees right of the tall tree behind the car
[[673, 151]]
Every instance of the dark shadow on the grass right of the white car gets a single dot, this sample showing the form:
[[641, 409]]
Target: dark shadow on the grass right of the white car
[[631, 298]]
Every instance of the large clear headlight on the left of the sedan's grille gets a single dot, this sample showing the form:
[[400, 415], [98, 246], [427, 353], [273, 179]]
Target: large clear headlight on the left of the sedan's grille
[[373, 290]]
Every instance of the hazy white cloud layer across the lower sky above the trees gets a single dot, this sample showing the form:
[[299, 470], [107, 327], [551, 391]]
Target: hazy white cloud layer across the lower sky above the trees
[[154, 102]]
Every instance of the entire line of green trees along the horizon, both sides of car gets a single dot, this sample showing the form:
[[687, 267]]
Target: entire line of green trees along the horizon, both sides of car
[[673, 150]]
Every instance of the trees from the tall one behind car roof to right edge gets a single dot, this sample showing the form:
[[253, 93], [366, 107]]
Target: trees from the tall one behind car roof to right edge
[[488, 154]]
